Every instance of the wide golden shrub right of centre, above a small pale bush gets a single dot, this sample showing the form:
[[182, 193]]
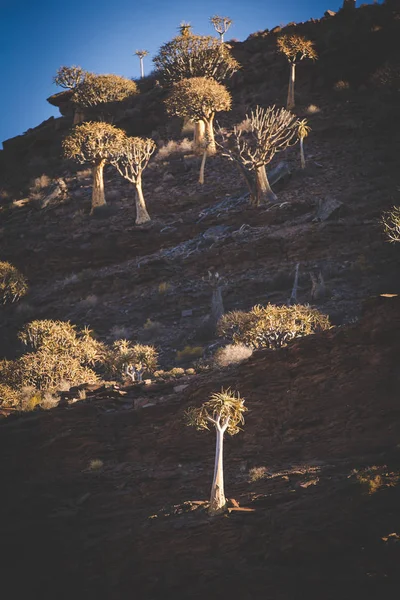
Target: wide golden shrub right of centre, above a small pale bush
[[271, 326]]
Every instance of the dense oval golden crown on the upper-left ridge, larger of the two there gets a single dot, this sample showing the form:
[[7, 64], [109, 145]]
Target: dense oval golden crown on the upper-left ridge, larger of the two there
[[98, 91]]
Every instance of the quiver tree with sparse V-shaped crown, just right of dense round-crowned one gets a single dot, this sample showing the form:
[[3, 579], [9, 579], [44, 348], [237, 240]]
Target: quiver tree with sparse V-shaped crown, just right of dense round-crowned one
[[132, 159]]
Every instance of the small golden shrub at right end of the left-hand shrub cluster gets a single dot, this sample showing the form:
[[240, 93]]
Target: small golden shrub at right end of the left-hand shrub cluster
[[123, 354]]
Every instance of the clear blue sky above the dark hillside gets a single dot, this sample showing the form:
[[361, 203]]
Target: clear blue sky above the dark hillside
[[38, 36]]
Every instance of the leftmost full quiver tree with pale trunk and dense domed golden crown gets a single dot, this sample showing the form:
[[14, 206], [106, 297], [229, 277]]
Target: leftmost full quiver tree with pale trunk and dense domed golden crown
[[95, 144]]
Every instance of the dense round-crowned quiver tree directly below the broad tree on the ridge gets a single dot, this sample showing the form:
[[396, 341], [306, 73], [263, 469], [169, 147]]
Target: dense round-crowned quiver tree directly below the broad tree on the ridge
[[199, 99]]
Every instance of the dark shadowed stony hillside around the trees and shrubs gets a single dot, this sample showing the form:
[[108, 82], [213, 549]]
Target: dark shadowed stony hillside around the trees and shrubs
[[104, 497]]
